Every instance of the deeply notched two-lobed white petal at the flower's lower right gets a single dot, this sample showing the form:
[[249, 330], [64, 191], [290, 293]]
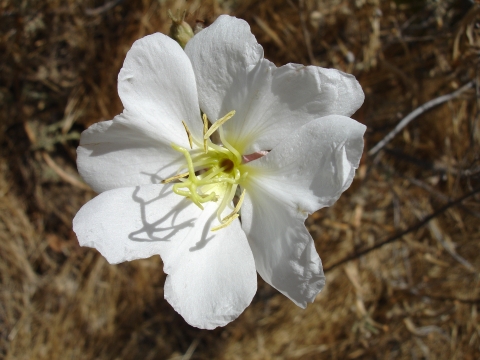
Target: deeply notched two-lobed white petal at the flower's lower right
[[307, 171]]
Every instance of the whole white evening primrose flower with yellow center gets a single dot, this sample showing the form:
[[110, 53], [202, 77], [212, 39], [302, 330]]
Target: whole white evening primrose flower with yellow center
[[214, 164]]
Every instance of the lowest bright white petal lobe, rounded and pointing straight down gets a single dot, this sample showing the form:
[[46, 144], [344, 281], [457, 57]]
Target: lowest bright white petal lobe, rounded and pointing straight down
[[213, 278]]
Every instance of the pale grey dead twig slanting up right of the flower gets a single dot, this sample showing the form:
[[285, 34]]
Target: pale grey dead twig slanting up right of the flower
[[418, 111]]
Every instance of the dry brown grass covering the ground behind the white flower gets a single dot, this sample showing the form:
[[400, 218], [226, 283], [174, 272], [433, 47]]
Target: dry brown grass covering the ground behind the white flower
[[416, 297]]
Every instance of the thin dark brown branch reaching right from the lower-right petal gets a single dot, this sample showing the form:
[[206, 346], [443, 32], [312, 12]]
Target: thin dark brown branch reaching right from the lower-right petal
[[399, 235]]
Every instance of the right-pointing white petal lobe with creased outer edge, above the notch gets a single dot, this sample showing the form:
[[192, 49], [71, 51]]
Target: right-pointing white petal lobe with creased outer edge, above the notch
[[314, 165]]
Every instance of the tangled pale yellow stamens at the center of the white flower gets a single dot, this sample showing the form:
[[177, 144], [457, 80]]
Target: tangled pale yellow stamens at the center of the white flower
[[214, 171]]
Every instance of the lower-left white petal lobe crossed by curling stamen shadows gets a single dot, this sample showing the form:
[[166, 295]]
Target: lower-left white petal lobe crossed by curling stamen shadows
[[123, 226]]
